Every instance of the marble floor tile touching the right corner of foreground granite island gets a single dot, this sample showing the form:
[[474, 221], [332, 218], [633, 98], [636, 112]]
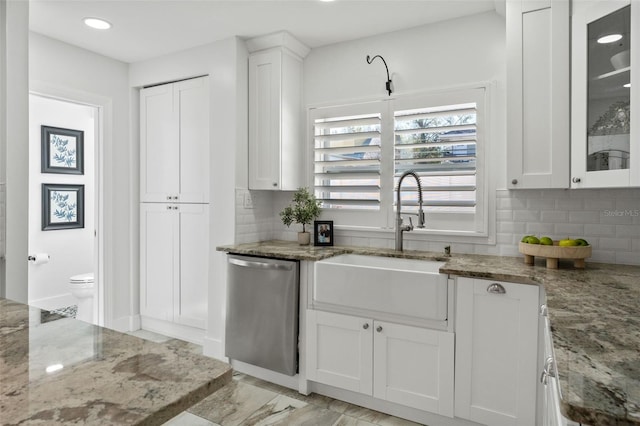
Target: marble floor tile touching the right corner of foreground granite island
[[232, 404]]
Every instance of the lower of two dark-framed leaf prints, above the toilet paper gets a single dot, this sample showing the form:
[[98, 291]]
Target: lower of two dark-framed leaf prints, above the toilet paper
[[62, 206]]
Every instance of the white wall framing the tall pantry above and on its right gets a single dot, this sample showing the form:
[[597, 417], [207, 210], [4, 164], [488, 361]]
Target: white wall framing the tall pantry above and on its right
[[225, 62]]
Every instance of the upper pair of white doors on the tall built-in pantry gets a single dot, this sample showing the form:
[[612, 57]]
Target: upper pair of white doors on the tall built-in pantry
[[174, 142]]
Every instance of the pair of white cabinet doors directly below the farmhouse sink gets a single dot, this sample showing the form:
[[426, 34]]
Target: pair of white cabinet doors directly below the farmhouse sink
[[403, 364]]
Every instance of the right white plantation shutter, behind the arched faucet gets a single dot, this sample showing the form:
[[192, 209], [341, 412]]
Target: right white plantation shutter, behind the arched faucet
[[439, 144]]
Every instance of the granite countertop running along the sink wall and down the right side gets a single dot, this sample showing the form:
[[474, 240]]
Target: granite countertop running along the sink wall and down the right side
[[594, 315]]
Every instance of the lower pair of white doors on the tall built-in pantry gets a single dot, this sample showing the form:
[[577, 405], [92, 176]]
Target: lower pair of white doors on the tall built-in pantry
[[174, 263]]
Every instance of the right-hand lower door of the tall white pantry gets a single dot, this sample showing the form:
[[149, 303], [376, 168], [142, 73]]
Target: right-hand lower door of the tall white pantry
[[190, 292]]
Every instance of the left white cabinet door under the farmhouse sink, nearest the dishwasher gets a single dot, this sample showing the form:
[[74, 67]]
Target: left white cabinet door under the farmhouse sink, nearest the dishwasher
[[339, 351]]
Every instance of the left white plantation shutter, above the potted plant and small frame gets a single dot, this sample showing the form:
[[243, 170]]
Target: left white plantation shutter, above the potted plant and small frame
[[347, 161]]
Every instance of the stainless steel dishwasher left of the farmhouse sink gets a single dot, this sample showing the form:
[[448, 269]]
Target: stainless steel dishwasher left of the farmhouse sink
[[262, 312]]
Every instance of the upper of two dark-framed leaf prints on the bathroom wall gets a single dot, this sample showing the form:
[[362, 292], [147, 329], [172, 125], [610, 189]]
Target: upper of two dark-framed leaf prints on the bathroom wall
[[62, 150]]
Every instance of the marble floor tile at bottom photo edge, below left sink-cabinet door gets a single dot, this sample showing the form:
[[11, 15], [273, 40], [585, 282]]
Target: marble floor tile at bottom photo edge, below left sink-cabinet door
[[286, 411]]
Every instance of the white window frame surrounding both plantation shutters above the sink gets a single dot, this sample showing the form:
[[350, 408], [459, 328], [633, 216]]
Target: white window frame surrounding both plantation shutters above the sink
[[478, 230]]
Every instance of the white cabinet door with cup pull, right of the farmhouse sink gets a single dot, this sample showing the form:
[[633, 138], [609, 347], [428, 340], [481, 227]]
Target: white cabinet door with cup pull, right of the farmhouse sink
[[496, 352]]
